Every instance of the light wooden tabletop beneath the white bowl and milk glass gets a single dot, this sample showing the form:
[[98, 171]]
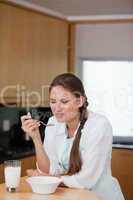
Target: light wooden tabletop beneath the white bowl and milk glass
[[62, 193]]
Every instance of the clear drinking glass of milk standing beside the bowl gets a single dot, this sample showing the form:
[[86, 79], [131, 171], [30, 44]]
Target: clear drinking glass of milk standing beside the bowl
[[12, 171]]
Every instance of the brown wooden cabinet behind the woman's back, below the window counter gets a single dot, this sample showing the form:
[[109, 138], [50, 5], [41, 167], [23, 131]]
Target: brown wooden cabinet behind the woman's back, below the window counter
[[122, 169]]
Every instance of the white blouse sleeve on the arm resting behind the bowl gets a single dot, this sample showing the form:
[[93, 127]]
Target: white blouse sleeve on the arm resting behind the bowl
[[96, 156]]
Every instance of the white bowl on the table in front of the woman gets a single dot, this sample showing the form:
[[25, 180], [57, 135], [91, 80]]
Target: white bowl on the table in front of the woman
[[43, 184]]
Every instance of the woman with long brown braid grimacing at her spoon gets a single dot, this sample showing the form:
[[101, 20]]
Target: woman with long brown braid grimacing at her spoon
[[78, 144]]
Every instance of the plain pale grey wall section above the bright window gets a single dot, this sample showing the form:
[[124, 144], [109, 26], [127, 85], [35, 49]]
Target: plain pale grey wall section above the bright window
[[103, 41]]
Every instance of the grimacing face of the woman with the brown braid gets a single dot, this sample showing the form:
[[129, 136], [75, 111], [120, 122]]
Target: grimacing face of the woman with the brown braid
[[64, 105]]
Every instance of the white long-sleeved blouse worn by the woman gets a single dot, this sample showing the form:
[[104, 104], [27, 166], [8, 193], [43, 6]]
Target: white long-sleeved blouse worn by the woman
[[95, 148]]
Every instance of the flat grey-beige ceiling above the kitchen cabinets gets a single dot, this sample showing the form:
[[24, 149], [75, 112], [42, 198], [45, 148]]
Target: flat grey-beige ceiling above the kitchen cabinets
[[81, 8]]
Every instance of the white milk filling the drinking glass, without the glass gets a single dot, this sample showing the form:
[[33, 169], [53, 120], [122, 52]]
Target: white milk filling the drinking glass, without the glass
[[12, 176]]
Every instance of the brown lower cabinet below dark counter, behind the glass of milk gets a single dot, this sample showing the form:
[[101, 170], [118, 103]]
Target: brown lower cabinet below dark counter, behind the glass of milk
[[26, 163]]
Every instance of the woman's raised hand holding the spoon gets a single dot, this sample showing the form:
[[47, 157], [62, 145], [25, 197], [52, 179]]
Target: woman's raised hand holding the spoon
[[30, 126]]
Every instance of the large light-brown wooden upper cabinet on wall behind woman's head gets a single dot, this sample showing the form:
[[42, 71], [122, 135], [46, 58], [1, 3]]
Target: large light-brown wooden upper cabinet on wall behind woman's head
[[33, 49]]
